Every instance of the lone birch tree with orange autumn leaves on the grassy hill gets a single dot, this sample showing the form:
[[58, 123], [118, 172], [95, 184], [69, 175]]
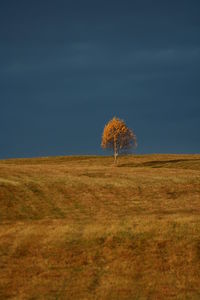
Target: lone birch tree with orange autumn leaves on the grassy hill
[[118, 137]]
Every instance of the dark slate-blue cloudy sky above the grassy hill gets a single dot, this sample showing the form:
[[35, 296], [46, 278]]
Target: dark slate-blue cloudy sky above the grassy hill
[[68, 67]]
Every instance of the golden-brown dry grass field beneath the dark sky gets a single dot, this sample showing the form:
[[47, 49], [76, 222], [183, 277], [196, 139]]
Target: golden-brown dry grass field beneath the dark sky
[[82, 228]]
